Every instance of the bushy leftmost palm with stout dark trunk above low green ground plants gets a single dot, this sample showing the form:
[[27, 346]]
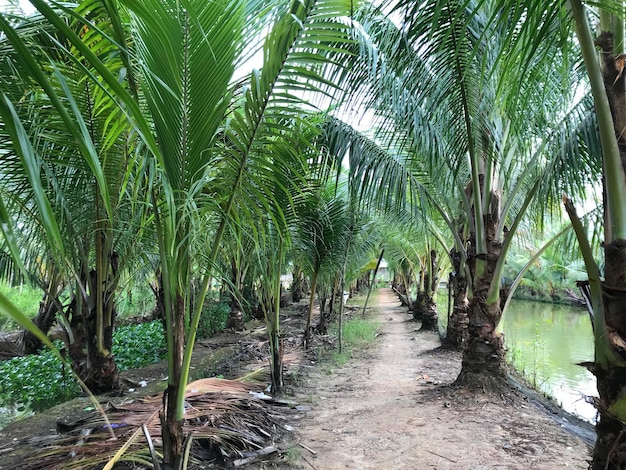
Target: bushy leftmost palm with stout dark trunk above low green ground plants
[[70, 183]]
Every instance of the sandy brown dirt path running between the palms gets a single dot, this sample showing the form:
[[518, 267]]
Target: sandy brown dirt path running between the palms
[[391, 409]]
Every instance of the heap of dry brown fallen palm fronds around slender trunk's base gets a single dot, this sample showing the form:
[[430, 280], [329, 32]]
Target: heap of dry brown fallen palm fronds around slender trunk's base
[[226, 422]]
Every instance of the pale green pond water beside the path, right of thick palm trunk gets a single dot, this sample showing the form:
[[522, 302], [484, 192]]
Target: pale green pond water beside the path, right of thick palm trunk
[[545, 343]]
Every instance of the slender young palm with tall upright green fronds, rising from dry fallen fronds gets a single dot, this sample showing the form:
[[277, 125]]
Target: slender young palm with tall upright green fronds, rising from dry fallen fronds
[[202, 143]]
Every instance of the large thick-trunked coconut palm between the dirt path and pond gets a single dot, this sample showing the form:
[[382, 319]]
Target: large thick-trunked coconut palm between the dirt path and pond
[[451, 66]]
